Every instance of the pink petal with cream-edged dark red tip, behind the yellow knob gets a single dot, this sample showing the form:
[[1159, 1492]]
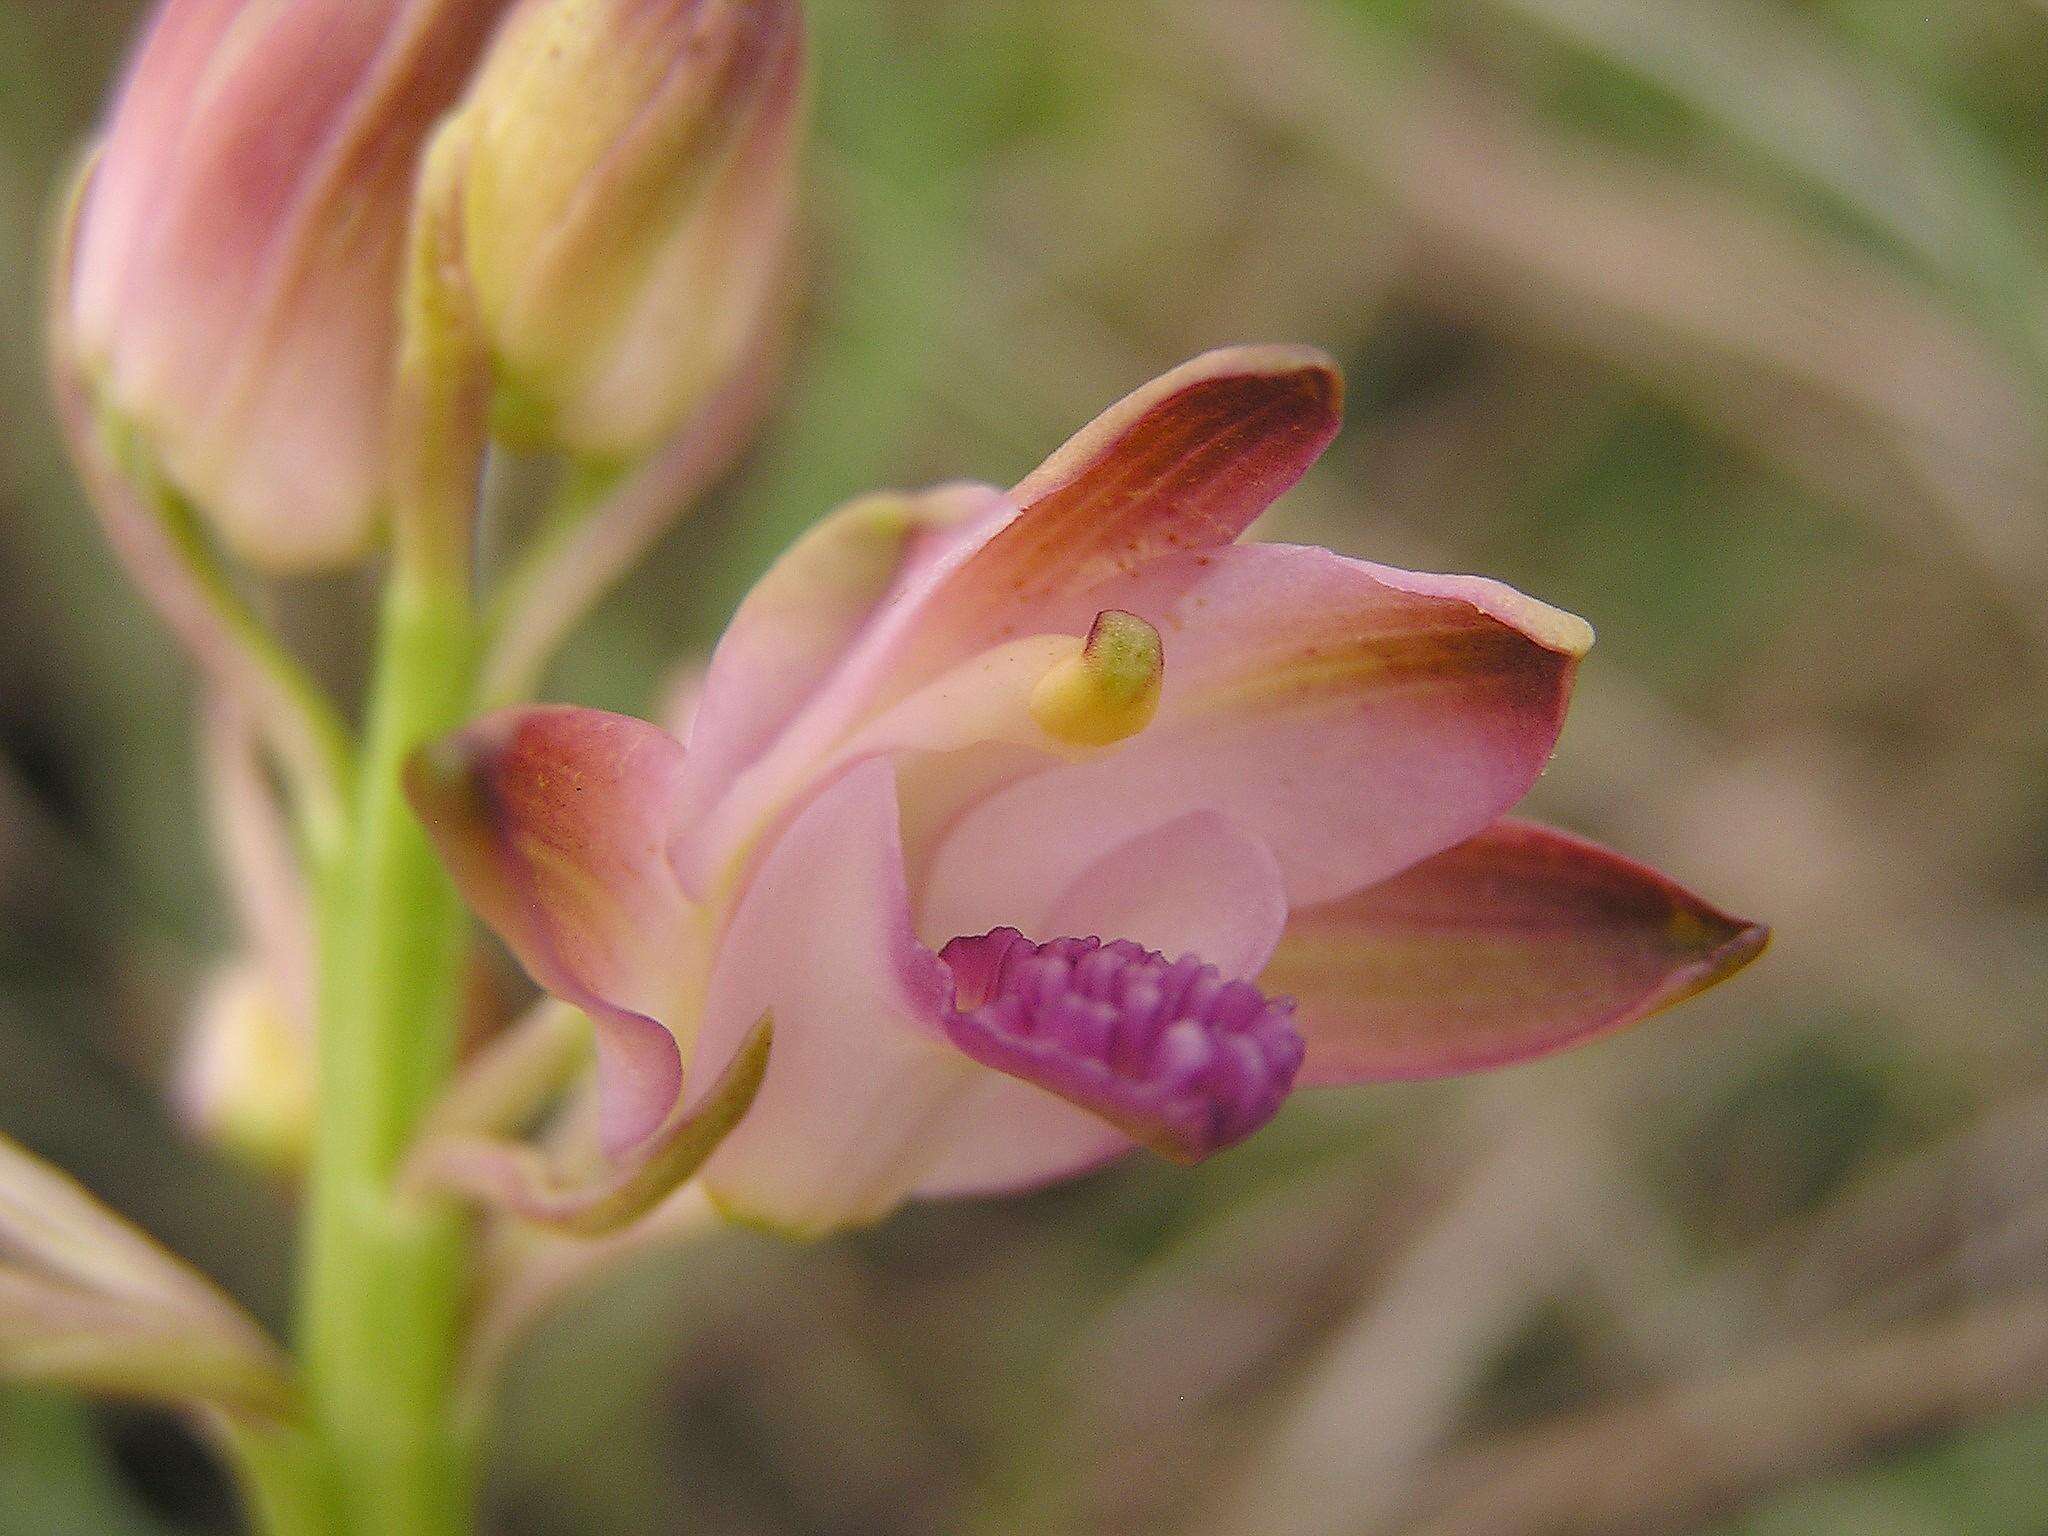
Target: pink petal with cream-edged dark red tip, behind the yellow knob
[[1351, 718]]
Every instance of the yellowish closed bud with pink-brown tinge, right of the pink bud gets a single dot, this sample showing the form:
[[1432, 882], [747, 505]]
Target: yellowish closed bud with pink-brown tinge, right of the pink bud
[[628, 210]]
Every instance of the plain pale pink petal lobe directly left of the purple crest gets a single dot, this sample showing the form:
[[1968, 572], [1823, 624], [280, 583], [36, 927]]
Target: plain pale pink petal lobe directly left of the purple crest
[[861, 1084]]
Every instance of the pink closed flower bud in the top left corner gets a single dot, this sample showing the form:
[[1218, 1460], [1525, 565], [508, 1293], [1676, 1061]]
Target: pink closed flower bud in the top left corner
[[232, 288]]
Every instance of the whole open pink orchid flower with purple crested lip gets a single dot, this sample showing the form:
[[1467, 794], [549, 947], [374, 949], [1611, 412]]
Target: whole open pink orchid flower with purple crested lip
[[1060, 822]]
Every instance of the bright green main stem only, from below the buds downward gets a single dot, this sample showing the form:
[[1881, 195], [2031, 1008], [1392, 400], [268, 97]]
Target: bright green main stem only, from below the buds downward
[[386, 1279]]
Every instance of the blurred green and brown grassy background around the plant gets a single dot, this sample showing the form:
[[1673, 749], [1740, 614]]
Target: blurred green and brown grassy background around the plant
[[1723, 323]]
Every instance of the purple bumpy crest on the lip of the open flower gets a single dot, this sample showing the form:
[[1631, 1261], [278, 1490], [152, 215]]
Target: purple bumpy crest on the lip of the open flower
[[1170, 1052]]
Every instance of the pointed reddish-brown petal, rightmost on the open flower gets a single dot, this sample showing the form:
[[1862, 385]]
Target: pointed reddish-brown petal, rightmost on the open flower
[[1508, 947]]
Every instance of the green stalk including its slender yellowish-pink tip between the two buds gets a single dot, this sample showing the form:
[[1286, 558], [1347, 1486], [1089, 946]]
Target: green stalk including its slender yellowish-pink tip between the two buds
[[386, 1273]]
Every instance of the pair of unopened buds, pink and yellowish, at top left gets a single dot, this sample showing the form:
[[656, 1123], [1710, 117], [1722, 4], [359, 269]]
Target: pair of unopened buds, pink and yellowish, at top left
[[232, 275]]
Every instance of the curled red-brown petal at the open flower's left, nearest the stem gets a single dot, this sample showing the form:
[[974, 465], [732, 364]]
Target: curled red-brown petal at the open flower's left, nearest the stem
[[556, 824]]
